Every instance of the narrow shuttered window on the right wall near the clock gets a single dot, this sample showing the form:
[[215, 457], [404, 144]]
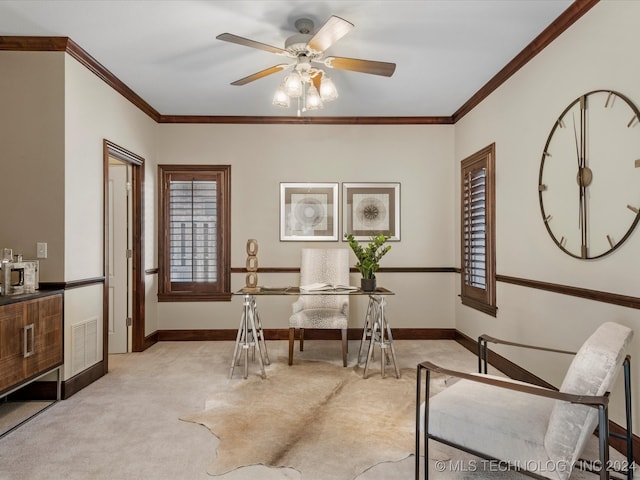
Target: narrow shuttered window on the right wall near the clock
[[478, 231]]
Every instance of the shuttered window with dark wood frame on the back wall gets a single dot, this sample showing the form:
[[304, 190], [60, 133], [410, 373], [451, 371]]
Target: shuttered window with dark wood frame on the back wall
[[194, 232]]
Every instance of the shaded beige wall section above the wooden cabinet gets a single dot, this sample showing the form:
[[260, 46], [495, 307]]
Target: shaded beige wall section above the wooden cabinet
[[32, 184]]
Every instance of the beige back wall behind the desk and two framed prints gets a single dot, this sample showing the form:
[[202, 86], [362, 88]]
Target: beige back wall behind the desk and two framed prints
[[420, 158]]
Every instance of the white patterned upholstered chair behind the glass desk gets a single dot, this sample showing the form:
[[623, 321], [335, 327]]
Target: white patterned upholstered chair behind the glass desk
[[319, 265]]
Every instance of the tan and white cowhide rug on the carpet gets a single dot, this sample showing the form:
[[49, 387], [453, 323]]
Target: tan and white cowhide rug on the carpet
[[321, 419]]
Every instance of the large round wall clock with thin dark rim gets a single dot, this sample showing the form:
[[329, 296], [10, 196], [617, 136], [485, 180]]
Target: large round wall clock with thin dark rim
[[589, 182]]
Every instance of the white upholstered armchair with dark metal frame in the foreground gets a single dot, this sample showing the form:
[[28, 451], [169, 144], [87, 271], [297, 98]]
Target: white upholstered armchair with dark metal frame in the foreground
[[537, 430]]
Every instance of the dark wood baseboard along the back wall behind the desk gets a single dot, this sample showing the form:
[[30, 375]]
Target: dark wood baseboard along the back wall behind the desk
[[309, 334]]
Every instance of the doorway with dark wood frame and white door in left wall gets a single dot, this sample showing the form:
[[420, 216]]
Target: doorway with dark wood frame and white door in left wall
[[124, 292]]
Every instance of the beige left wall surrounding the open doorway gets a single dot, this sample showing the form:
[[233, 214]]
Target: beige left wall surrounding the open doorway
[[94, 112]]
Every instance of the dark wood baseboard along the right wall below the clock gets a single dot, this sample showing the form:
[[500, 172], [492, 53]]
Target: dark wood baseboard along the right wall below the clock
[[518, 373]]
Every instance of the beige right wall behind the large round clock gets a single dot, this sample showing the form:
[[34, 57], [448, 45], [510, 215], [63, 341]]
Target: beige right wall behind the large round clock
[[595, 53]]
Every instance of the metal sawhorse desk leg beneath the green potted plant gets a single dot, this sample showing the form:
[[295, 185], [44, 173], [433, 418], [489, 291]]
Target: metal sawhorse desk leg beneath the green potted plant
[[377, 321]]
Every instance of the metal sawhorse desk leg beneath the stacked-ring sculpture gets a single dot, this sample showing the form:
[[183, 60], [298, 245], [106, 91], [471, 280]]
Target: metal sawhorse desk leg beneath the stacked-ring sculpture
[[250, 336]]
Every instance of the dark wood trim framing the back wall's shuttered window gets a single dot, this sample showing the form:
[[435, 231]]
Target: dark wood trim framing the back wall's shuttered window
[[220, 289]]
